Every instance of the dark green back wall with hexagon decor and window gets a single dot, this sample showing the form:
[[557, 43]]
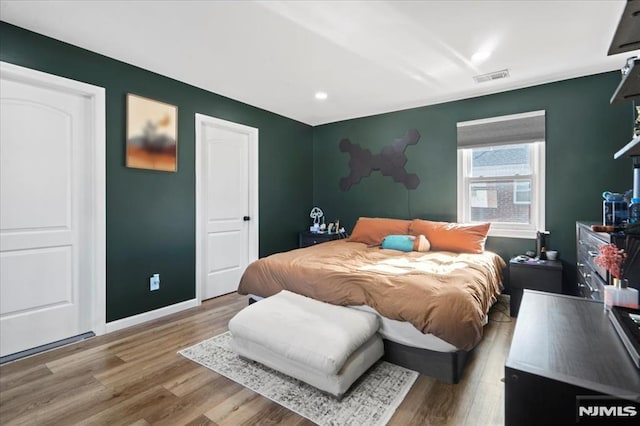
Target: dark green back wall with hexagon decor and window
[[583, 132]]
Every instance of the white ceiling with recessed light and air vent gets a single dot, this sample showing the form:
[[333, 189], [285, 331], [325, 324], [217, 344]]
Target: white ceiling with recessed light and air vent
[[369, 57]]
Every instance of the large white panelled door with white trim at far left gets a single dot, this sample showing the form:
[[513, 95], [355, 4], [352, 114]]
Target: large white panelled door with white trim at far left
[[48, 238]]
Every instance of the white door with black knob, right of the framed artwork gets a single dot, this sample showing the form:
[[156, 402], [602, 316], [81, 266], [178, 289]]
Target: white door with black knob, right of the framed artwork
[[227, 203]]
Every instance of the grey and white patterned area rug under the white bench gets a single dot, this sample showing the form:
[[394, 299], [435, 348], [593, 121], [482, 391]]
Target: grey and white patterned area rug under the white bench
[[371, 401]]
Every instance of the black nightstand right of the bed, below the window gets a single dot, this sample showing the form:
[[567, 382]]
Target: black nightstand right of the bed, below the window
[[544, 275]]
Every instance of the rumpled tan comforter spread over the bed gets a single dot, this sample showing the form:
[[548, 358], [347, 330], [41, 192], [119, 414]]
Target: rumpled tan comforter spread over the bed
[[442, 293]]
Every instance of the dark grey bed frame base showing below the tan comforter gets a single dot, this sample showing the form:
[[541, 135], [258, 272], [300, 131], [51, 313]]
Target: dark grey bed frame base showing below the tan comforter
[[445, 366]]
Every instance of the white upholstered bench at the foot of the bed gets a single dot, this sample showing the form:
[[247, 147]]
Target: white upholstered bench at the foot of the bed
[[324, 345]]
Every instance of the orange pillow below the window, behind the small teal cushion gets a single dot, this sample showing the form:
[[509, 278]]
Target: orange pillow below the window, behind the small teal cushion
[[457, 237]]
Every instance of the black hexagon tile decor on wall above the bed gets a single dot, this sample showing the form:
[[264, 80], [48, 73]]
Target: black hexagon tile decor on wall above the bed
[[390, 161]]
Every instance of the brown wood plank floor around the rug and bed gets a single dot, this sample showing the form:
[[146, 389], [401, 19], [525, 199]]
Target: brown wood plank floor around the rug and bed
[[135, 377]]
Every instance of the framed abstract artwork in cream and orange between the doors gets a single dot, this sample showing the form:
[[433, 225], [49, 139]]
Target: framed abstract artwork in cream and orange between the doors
[[152, 134]]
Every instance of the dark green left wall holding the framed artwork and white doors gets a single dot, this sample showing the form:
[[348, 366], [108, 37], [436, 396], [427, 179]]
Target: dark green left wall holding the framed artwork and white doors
[[151, 215]]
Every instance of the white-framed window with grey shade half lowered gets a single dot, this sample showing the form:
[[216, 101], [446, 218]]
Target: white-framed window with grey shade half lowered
[[501, 174]]
